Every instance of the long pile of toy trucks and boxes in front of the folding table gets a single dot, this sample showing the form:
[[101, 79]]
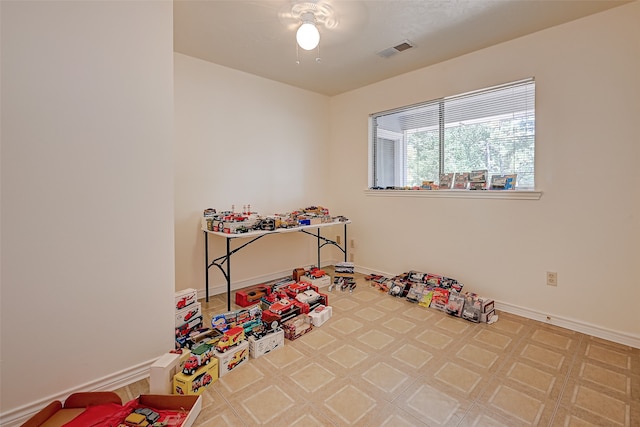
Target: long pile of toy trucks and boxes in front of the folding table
[[272, 312]]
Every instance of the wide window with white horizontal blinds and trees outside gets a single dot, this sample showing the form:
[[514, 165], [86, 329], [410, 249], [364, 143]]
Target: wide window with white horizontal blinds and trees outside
[[491, 129]]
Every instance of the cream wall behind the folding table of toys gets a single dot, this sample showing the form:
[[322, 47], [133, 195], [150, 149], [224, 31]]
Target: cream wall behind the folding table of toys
[[242, 139]]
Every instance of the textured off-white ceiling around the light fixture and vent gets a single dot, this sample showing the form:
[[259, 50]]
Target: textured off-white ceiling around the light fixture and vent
[[258, 37]]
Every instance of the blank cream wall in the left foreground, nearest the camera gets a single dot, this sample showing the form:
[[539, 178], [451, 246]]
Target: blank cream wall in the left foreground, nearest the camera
[[87, 196]]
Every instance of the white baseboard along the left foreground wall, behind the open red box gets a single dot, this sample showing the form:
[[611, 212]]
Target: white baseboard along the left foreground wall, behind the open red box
[[16, 417]]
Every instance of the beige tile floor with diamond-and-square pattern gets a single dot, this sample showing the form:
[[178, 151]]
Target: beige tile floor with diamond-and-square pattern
[[383, 361]]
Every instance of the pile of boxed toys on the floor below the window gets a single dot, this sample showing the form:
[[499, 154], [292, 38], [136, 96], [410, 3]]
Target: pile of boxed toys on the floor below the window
[[439, 292]]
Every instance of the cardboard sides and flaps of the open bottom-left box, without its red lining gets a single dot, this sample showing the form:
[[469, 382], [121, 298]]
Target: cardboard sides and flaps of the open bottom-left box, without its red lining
[[56, 414]]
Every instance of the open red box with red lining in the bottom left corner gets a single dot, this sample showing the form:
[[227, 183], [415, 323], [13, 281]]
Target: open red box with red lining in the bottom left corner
[[56, 414]]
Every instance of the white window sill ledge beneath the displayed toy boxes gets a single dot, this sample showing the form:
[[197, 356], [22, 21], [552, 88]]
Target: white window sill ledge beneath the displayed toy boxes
[[458, 194]]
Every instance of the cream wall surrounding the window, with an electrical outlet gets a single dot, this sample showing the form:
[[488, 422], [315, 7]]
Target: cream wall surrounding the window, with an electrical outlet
[[586, 226]]
